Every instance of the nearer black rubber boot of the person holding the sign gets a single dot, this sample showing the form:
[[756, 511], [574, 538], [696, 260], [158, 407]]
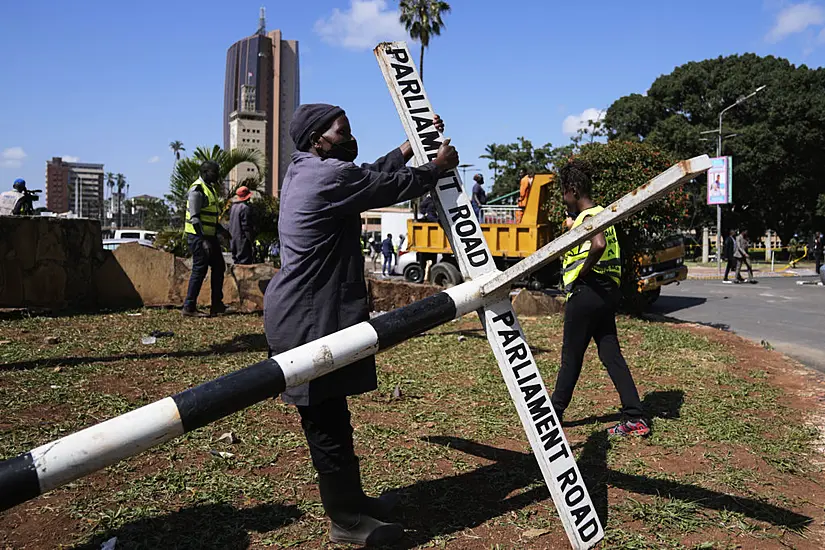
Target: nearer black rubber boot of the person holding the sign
[[346, 506]]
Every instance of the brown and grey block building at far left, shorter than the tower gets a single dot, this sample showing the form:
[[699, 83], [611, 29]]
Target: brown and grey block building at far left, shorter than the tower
[[75, 187]]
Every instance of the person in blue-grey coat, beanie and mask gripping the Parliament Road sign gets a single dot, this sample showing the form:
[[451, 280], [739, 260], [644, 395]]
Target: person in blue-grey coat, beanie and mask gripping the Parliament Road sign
[[320, 289]]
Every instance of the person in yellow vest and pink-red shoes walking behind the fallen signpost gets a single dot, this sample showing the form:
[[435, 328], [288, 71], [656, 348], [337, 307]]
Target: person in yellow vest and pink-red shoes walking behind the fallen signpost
[[592, 275]]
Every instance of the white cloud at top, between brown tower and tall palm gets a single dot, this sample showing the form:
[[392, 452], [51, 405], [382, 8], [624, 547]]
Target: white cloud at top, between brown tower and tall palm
[[362, 27]]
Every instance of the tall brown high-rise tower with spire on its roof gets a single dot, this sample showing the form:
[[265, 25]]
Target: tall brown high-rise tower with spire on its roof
[[268, 66]]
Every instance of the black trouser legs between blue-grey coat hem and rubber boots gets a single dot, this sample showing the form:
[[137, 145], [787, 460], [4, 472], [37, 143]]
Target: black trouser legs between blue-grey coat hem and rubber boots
[[328, 431]]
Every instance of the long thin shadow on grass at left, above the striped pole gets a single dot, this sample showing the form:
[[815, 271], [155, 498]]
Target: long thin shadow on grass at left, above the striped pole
[[238, 344]]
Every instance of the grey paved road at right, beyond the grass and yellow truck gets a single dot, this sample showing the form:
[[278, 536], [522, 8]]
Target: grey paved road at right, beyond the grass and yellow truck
[[789, 316]]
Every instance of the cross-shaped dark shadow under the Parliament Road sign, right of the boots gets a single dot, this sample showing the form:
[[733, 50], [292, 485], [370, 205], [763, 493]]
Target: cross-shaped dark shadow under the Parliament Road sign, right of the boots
[[448, 505]]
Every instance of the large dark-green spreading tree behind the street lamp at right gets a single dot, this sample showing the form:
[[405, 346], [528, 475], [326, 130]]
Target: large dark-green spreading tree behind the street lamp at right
[[778, 173]]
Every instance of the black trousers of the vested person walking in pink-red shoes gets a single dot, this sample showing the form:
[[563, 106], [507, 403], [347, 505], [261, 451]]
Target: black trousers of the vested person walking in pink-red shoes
[[591, 313]]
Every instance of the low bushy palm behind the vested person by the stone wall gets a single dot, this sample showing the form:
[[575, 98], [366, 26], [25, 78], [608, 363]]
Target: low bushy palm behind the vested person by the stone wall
[[188, 170]]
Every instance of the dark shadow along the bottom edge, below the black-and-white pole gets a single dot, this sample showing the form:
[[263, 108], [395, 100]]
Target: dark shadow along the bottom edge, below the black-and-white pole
[[207, 527]]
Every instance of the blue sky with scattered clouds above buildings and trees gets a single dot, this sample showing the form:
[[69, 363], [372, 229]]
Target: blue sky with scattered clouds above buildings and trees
[[115, 82]]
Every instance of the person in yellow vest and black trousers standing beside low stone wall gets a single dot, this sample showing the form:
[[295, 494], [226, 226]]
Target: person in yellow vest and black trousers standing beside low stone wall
[[202, 230]]
